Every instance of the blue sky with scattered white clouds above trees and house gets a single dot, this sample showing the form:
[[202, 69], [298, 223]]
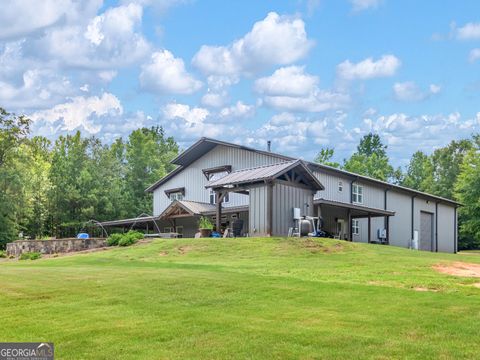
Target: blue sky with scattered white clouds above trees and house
[[304, 74]]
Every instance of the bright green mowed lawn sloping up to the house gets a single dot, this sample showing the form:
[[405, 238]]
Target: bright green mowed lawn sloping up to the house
[[250, 298]]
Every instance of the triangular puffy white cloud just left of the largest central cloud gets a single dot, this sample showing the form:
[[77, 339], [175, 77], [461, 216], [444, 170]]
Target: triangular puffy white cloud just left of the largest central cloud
[[166, 74]]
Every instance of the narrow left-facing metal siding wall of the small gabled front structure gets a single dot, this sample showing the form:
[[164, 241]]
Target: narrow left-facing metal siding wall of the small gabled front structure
[[257, 218]]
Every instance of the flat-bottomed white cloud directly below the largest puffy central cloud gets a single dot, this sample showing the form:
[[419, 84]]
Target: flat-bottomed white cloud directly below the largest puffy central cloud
[[287, 81]]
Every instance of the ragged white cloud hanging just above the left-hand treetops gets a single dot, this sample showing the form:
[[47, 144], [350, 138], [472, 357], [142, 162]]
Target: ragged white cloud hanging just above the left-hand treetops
[[80, 113]]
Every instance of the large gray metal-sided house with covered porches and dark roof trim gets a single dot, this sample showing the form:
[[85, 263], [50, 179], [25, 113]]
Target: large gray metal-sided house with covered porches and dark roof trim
[[227, 181]]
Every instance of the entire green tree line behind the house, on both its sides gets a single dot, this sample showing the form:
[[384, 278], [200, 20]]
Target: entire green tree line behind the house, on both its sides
[[53, 188]]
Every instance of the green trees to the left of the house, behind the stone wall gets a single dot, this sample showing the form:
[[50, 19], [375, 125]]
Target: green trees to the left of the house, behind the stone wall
[[54, 188]]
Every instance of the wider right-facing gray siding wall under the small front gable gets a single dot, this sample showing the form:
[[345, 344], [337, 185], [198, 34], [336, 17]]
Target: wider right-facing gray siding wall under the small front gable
[[285, 198]]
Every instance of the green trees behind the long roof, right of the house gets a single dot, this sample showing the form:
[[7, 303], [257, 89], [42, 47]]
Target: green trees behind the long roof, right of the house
[[452, 172]]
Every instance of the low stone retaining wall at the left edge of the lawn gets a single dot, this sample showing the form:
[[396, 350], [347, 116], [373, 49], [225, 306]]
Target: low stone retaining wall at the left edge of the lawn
[[18, 247]]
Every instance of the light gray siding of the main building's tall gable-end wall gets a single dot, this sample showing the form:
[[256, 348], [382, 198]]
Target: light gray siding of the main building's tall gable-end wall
[[194, 181]]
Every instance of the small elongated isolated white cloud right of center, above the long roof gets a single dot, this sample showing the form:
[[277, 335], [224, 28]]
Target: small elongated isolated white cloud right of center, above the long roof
[[386, 66]]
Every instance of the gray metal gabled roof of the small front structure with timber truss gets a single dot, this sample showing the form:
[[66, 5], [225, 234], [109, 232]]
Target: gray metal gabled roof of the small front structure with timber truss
[[267, 173]]
